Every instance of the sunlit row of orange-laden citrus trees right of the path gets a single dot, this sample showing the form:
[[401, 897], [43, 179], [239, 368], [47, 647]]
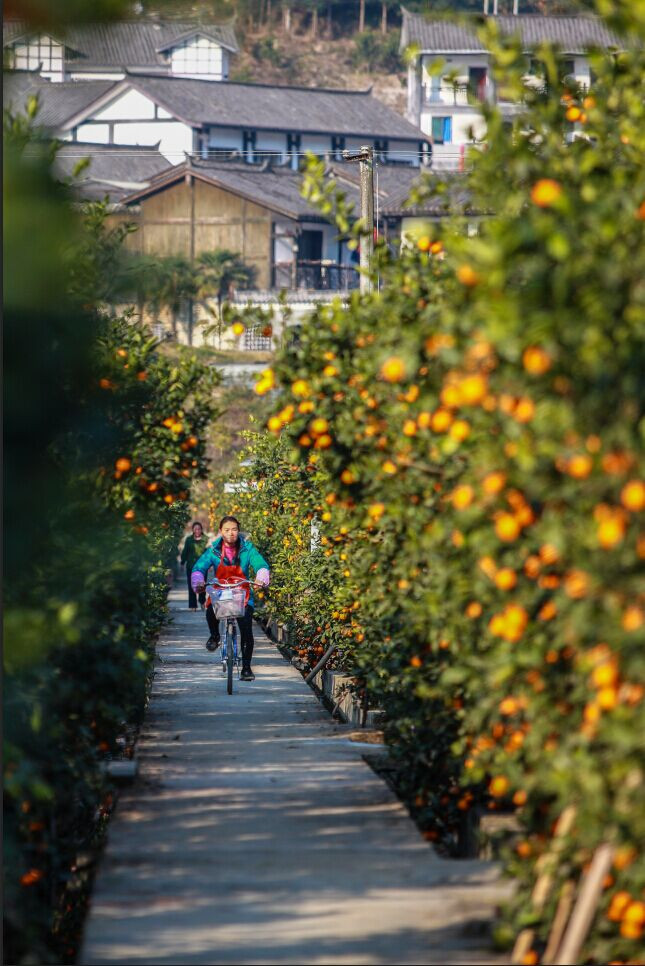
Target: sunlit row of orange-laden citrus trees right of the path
[[475, 433]]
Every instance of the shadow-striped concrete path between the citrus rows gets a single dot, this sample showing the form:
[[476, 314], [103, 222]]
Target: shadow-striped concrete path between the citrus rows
[[256, 834]]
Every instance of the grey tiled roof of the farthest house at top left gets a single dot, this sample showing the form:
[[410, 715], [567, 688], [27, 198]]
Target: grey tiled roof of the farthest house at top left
[[135, 44]]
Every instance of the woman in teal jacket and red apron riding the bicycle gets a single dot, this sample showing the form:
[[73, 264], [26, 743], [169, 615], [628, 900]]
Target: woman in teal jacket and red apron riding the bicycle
[[232, 557]]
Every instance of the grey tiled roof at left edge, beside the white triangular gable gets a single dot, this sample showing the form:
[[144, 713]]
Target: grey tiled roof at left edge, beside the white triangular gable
[[58, 102]]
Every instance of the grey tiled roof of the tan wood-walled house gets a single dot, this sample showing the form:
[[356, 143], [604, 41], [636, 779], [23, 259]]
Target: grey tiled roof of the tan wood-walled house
[[276, 188]]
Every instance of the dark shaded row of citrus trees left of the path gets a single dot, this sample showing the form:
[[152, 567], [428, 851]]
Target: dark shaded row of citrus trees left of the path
[[104, 437]]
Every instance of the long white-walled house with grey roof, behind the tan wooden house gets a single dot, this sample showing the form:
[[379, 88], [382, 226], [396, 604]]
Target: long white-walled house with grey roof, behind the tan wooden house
[[252, 121]]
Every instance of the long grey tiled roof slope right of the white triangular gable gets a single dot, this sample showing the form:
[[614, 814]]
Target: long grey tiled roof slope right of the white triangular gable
[[260, 106]]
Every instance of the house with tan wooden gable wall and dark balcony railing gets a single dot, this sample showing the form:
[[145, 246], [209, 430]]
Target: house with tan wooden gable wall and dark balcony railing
[[258, 212]]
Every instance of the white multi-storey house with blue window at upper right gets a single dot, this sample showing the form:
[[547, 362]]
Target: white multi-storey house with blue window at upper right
[[444, 104]]
